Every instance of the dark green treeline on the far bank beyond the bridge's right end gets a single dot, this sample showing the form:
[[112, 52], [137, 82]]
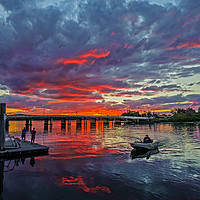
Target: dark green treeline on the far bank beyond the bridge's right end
[[177, 115]]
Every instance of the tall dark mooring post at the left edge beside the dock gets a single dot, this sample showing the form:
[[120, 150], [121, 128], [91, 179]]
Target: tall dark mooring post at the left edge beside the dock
[[2, 126]]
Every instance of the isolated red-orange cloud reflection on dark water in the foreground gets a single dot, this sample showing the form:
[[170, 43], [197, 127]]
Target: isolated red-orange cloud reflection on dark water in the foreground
[[80, 182]]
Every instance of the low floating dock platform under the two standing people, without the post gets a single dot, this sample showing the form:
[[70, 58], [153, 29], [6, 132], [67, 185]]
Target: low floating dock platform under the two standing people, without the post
[[23, 149]]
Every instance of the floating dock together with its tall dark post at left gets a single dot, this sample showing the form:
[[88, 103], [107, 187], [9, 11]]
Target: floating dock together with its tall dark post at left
[[10, 147]]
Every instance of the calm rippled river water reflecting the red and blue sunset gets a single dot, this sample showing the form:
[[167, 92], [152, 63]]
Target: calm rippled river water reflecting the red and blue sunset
[[94, 162]]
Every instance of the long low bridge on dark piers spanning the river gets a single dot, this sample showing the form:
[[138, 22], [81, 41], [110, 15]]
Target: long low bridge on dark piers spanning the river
[[48, 119]]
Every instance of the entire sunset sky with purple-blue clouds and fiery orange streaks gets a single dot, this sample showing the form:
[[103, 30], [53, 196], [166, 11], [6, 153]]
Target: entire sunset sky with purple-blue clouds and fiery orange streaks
[[99, 57]]
